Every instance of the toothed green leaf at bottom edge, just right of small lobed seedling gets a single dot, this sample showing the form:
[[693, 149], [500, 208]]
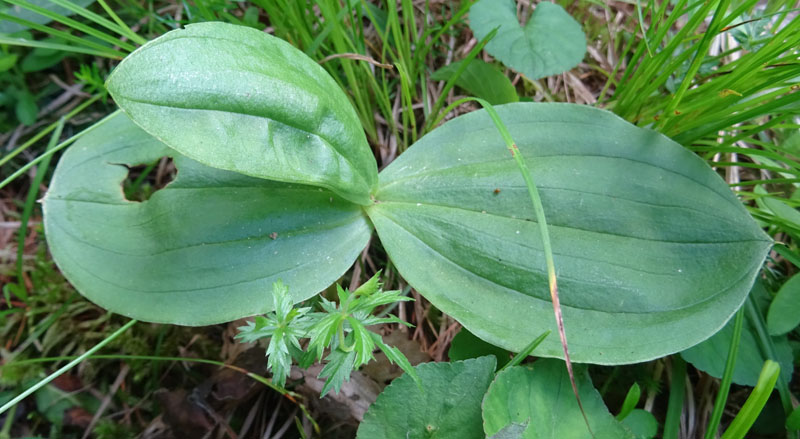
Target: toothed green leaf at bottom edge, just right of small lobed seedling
[[447, 406]]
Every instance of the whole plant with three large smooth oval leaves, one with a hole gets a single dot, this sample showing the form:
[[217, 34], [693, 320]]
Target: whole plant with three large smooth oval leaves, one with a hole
[[295, 187]]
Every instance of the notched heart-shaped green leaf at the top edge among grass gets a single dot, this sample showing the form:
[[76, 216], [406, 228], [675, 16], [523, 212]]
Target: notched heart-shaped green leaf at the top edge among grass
[[550, 42]]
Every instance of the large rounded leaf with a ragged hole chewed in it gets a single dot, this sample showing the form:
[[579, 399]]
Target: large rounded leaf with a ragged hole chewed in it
[[205, 249]]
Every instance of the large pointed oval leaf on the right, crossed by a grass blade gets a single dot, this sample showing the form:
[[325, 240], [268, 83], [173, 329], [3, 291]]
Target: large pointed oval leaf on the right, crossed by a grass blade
[[653, 251]]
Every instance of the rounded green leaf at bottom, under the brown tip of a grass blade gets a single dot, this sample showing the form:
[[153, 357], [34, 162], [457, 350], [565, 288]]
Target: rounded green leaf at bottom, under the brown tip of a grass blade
[[541, 397]]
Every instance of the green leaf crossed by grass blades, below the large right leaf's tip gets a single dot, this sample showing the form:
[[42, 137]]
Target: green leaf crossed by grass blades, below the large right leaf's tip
[[710, 356]]
